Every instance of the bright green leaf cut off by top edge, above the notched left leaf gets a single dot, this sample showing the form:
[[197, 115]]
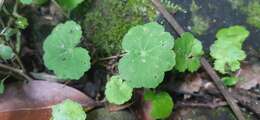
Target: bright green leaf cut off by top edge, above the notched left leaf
[[69, 4]]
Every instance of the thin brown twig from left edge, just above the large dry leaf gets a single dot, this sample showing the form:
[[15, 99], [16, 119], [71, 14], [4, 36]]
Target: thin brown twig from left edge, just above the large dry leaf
[[17, 71]]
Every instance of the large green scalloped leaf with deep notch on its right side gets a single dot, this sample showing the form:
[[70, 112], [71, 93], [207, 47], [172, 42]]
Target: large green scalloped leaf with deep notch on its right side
[[61, 54]]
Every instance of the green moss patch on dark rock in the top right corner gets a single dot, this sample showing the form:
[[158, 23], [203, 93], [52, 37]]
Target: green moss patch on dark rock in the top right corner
[[253, 13]]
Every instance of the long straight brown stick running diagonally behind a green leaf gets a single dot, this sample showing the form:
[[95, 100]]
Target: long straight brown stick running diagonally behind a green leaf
[[216, 79]]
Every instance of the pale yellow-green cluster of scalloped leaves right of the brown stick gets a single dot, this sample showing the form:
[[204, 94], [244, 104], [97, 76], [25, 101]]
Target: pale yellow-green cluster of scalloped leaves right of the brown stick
[[227, 49]]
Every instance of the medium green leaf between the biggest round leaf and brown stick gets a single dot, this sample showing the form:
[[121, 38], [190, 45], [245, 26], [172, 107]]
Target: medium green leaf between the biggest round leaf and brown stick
[[188, 53]]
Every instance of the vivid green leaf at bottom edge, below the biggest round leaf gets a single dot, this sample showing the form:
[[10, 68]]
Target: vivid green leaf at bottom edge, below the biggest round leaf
[[161, 104]]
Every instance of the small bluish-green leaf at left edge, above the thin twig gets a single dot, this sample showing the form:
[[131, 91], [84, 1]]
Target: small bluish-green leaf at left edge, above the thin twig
[[6, 52]]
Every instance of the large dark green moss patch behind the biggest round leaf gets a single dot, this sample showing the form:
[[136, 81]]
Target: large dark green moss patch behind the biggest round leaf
[[109, 20]]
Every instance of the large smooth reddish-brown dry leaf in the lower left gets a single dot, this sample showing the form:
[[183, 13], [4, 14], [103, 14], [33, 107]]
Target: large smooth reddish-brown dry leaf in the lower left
[[33, 100]]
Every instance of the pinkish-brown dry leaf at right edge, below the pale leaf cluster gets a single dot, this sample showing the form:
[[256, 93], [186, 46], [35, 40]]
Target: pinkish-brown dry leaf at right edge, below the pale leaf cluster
[[250, 76]]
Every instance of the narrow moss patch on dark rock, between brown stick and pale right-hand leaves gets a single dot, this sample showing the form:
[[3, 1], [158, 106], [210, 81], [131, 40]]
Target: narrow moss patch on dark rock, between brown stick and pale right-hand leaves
[[200, 24]]
